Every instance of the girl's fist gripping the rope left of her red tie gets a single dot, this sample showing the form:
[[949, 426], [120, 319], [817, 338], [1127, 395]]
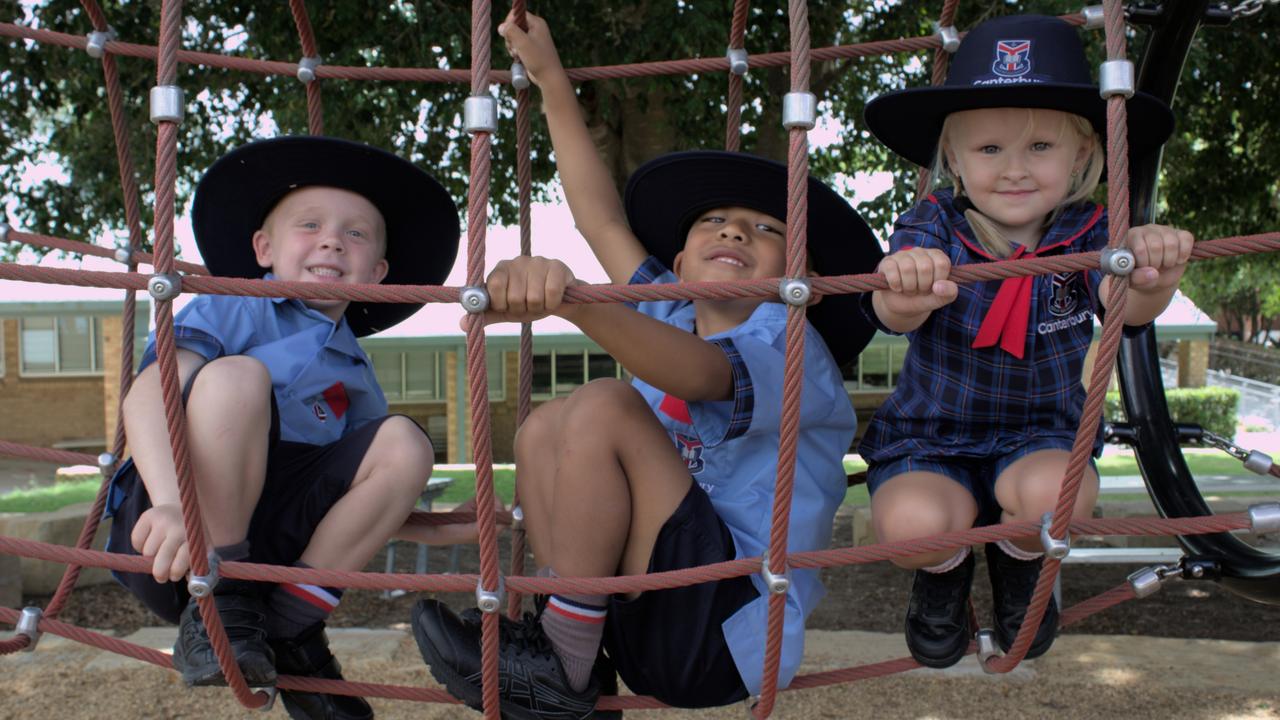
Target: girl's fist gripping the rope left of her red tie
[[918, 285]]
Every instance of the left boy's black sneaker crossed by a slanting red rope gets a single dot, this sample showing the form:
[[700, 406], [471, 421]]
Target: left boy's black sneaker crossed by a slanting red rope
[[245, 618]]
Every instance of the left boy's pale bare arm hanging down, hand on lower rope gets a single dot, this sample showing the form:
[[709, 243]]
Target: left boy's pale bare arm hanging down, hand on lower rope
[[159, 532]]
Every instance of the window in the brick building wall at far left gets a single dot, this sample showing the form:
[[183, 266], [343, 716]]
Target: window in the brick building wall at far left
[[61, 347]]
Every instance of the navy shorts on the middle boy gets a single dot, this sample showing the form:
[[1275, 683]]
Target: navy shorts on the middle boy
[[669, 644]]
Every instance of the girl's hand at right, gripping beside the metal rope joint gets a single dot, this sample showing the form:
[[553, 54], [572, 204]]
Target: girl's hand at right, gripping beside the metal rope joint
[[1162, 256]]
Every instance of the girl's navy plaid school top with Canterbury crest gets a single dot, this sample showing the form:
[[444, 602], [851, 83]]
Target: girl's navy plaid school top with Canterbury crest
[[957, 400]]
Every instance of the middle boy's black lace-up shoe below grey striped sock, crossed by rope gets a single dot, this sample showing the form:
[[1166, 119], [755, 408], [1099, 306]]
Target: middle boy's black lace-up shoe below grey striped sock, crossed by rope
[[532, 683]]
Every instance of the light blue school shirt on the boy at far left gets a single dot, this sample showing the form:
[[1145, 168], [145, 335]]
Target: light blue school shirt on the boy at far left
[[324, 384]]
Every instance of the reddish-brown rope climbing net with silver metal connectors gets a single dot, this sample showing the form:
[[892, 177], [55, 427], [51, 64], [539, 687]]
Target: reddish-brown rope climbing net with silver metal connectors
[[166, 284]]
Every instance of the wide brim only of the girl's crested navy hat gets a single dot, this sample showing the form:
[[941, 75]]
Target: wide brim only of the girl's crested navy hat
[[911, 121]]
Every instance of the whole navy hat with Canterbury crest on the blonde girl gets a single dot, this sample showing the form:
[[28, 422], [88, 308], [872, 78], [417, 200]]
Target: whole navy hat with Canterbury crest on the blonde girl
[[1012, 62]]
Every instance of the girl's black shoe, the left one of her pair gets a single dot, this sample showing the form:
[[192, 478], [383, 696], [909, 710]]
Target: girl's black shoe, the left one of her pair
[[939, 625]]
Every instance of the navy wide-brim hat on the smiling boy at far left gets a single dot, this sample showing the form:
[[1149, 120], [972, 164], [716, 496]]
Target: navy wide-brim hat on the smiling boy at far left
[[237, 193]]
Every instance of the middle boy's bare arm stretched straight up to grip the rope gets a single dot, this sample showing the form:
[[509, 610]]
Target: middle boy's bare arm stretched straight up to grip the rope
[[588, 185]]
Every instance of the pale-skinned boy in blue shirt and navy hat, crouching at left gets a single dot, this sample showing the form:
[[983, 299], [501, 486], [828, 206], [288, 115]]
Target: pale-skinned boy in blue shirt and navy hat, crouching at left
[[295, 457]]
